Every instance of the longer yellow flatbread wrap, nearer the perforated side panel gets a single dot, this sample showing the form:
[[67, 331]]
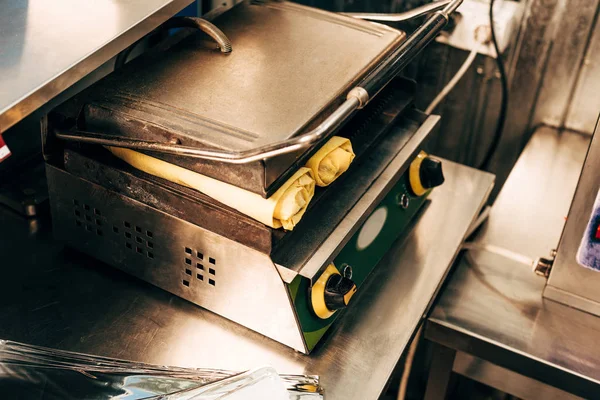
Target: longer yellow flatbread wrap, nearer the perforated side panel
[[284, 208]]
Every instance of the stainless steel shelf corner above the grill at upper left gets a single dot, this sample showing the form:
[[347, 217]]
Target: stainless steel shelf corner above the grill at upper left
[[47, 46]]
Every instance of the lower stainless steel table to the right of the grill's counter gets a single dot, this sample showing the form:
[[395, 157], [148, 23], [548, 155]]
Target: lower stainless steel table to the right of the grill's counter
[[491, 322]]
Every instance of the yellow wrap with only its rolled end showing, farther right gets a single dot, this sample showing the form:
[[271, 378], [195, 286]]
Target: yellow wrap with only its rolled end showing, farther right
[[331, 160]]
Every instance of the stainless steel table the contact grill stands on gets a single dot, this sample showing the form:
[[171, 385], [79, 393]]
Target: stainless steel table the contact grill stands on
[[56, 297]]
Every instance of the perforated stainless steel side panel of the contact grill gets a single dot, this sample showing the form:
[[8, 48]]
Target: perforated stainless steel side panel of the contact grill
[[182, 258]]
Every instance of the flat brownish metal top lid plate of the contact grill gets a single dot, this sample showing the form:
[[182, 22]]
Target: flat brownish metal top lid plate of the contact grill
[[290, 66]]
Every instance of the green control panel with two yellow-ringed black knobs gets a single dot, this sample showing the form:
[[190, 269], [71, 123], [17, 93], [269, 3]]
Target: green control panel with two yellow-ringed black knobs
[[319, 304]]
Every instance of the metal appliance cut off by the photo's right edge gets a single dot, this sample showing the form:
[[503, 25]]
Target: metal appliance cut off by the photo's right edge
[[575, 277]]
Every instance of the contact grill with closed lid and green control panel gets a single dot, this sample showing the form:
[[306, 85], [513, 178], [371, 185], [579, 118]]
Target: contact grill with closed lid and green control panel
[[294, 77]]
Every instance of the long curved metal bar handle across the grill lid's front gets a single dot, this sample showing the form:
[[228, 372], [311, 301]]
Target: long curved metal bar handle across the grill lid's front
[[357, 98]]
